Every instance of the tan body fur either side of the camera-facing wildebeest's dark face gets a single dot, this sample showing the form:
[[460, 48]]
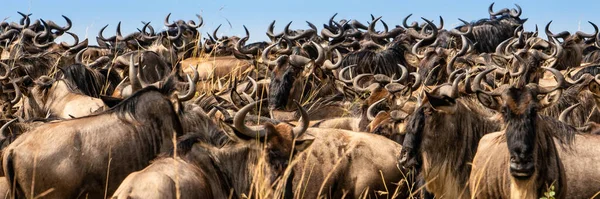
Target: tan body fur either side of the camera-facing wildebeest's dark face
[[490, 177]]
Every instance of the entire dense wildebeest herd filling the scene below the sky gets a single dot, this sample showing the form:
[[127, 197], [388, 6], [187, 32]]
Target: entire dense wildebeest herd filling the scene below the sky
[[483, 110]]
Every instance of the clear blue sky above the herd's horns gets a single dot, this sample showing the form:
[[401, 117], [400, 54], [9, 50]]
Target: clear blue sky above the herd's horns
[[89, 16]]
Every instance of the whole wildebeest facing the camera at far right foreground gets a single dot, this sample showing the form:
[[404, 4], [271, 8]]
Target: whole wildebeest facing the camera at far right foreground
[[533, 151]]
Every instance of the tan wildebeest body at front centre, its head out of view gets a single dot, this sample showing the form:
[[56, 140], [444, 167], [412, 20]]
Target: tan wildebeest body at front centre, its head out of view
[[347, 162]]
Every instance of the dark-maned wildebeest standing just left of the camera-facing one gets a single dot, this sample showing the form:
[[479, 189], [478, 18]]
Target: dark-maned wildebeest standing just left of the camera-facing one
[[441, 139]]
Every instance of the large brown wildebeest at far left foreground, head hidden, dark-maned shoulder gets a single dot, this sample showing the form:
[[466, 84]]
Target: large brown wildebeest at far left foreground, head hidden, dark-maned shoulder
[[76, 155]]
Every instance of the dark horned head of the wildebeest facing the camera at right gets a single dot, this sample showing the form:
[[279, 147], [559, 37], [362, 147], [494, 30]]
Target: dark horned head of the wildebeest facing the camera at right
[[526, 132]]
